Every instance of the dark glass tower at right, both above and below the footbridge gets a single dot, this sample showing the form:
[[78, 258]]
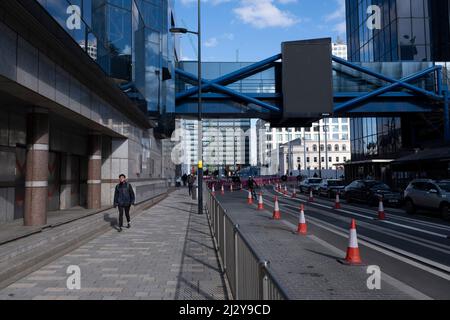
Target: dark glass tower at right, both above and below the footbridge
[[395, 30]]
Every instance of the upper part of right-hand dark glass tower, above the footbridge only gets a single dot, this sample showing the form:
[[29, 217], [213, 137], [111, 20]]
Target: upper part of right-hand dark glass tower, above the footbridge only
[[409, 30]]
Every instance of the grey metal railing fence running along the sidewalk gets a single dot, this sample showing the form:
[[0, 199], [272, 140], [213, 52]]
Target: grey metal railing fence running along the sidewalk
[[249, 276]]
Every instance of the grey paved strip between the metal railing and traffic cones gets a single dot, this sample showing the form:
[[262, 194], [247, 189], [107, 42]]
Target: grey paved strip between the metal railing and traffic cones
[[305, 266]]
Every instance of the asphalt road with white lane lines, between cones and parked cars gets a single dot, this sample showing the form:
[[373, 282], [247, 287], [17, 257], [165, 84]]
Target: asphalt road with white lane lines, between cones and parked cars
[[413, 249]]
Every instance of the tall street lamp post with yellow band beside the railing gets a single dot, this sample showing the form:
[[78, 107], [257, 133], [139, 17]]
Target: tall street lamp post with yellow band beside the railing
[[200, 127]]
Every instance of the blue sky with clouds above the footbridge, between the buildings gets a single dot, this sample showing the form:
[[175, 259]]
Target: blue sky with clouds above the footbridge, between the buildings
[[256, 28]]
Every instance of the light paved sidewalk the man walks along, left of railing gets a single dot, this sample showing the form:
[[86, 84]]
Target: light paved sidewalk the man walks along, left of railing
[[167, 254]]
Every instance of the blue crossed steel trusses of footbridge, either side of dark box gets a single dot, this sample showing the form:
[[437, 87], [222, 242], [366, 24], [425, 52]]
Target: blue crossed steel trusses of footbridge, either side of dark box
[[375, 97]]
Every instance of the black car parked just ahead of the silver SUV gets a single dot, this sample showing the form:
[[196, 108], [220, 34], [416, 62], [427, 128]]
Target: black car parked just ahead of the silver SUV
[[370, 191]]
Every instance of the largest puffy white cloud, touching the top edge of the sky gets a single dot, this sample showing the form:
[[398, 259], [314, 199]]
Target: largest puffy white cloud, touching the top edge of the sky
[[264, 13]]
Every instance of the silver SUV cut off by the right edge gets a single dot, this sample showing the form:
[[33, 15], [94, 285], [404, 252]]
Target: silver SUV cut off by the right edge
[[429, 195]]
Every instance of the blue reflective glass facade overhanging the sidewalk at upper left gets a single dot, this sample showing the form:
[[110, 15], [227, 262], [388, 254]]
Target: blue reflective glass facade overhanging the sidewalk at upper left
[[130, 40]]
